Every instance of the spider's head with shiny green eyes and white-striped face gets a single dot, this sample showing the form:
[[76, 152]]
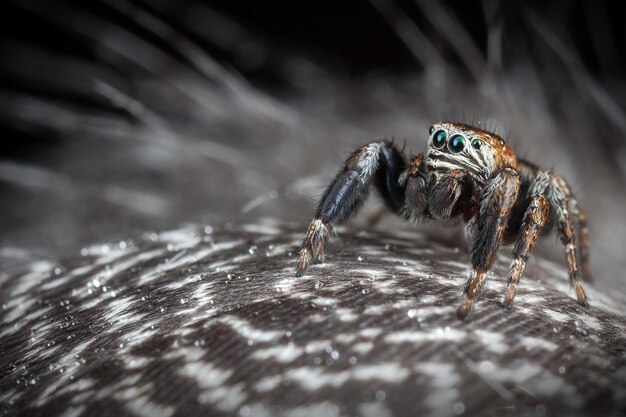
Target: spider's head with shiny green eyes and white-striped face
[[455, 145]]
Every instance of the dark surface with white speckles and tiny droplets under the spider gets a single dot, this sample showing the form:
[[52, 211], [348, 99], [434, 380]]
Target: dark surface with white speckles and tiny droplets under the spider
[[189, 323]]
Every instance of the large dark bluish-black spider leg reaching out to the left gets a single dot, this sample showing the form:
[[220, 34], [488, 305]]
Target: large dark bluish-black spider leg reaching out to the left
[[379, 162]]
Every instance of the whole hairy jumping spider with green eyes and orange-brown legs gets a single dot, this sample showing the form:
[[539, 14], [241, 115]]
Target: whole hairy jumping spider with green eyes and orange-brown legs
[[467, 172]]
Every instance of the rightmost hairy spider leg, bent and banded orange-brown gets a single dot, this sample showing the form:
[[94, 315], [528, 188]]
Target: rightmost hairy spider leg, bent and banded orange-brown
[[558, 194]]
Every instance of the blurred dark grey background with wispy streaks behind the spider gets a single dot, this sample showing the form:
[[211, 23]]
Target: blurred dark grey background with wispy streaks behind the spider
[[120, 117]]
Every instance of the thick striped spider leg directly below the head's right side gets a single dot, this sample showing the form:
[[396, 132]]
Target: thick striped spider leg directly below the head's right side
[[495, 207]]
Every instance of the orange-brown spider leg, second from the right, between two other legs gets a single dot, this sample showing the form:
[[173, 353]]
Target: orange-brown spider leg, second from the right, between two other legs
[[534, 219]]
